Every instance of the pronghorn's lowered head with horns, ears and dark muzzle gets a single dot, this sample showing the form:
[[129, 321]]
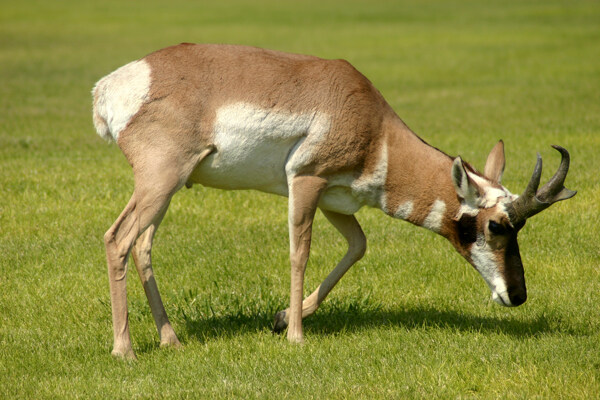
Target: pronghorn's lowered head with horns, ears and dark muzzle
[[490, 218]]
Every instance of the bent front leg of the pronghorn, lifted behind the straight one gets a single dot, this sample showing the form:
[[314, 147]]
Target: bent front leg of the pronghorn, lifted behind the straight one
[[348, 226]]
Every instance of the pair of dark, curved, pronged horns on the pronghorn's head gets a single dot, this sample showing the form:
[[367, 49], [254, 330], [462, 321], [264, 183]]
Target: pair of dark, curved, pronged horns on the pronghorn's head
[[532, 201]]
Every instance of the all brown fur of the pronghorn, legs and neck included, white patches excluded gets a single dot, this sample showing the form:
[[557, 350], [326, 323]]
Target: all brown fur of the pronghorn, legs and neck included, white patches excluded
[[170, 135]]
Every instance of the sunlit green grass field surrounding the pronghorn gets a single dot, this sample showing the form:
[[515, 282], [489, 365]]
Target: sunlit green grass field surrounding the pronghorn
[[411, 320]]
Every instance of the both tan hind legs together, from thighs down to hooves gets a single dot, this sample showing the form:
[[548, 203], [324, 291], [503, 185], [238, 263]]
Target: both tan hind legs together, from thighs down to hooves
[[156, 180]]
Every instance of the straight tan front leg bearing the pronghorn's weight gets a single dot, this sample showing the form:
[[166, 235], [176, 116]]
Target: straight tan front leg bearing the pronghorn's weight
[[304, 195]]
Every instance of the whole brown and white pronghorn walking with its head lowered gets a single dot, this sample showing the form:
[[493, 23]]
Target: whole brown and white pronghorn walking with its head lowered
[[314, 130]]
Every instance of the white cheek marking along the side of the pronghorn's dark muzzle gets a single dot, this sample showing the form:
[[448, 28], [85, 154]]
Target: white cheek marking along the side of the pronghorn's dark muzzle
[[485, 262]]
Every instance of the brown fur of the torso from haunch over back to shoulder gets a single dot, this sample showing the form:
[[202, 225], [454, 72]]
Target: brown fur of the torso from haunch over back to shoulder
[[190, 82]]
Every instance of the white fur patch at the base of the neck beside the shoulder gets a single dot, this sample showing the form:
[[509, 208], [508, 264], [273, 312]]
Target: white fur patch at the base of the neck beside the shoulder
[[369, 189]]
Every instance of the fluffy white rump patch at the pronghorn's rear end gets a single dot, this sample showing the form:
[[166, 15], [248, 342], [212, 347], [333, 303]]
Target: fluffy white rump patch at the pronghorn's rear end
[[119, 96]]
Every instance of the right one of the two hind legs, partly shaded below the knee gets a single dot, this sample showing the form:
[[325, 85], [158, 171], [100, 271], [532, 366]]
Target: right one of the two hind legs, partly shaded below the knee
[[143, 262]]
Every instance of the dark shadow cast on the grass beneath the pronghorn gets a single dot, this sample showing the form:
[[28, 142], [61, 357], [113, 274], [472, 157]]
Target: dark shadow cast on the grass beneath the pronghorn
[[351, 318]]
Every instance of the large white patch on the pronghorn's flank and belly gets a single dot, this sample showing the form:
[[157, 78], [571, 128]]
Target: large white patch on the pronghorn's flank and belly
[[260, 148]]
